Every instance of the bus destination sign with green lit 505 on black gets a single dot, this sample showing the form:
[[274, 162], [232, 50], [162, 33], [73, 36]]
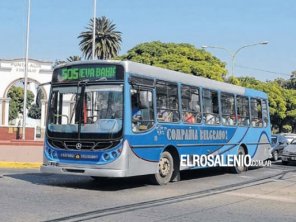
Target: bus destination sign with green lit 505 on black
[[91, 72]]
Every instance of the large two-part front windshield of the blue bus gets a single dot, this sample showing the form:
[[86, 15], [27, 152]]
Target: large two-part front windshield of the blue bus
[[86, 111]]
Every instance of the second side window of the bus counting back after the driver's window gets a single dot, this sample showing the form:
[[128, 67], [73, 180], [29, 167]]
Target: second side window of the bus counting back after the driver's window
[[190, 105]]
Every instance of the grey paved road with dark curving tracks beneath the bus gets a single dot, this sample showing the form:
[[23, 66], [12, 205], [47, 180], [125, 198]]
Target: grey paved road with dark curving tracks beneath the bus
[[264, 194]]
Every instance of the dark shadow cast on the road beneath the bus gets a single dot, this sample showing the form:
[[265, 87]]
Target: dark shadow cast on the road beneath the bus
[[106, 184]]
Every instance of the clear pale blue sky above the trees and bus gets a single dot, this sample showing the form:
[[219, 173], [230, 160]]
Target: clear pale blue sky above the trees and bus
[[231, 24]]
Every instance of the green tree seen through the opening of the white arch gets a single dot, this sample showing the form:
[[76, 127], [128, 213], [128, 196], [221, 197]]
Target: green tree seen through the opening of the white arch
[[16, 94]]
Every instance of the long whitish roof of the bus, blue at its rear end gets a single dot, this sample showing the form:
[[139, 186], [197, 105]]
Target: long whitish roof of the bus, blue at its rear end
[[174, 76]]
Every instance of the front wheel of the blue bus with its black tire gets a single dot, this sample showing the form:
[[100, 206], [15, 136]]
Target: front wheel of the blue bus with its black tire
[[165, 169]]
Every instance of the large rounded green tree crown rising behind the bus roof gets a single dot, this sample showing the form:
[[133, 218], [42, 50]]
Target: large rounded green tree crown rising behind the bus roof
[[178, 57]]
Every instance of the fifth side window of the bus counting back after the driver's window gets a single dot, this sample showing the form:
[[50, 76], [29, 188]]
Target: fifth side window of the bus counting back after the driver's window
[[243, 116]]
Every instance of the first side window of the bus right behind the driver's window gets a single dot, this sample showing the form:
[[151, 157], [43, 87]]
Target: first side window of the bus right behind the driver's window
[[167, 102]]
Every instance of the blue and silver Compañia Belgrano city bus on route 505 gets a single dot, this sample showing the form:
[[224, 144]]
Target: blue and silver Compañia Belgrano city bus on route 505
[[123, 119]]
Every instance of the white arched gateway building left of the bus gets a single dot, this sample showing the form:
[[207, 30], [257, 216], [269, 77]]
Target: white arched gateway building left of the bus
[[12, 73]]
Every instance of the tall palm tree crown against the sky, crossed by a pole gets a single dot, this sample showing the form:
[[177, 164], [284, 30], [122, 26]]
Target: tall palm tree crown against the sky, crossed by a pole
[[107, 41]]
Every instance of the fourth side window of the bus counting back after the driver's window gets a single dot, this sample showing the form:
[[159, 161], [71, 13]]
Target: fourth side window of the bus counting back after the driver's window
[[228, 109]]
